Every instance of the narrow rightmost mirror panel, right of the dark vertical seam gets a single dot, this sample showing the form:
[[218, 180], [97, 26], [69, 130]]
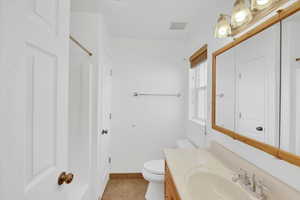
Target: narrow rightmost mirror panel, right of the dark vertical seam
[[290, 83]]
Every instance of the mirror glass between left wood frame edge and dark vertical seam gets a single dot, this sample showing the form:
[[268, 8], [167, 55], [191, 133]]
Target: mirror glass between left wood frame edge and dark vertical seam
[[247, 87]]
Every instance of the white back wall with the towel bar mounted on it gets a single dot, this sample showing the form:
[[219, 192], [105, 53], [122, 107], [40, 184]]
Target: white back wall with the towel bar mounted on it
[[143, 126]]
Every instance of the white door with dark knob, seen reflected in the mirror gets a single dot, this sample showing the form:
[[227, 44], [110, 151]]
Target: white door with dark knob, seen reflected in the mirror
[[252, 98]]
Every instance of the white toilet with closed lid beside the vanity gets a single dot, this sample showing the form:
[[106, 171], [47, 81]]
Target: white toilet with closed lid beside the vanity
[[154, 172]]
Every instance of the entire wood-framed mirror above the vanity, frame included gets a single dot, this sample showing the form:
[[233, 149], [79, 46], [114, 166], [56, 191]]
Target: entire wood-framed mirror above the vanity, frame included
[[253, 78]]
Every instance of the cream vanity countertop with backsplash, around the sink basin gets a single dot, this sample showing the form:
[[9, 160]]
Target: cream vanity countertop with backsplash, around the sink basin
[[221, 161]]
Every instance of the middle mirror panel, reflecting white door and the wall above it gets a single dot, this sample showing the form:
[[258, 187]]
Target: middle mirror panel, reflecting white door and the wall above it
[[257, 65]]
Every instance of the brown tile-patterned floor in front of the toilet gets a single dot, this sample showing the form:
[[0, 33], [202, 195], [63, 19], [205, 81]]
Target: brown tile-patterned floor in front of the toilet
[[125, 189]]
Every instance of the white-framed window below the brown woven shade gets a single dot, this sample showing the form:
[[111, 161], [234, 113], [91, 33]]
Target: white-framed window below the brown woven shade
[[198, 93]]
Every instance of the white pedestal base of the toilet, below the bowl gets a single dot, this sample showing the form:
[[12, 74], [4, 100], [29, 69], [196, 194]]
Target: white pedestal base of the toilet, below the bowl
[[155, 191]]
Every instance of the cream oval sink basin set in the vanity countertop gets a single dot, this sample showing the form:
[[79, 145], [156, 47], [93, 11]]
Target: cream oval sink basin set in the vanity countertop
[[206, 185]]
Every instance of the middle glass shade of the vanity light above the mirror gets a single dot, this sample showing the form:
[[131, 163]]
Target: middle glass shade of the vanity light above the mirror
[[241, 14]]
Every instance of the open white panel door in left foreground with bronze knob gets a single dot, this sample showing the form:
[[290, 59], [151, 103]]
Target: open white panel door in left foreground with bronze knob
[[36, 58]]
